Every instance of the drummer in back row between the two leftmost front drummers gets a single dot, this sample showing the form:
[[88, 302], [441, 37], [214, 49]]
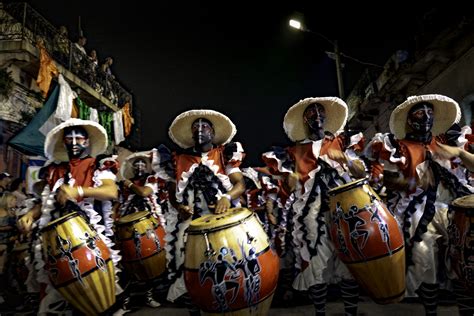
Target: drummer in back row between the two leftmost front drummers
[[139, 193]]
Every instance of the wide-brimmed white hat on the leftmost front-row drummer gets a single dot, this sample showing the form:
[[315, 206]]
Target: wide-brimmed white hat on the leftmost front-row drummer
[[54, 148]]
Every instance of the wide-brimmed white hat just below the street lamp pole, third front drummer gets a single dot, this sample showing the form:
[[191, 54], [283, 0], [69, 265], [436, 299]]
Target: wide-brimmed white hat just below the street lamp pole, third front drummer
[[336, 117]]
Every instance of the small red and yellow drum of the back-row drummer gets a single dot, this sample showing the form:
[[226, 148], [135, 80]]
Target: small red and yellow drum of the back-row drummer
[[141, 241]]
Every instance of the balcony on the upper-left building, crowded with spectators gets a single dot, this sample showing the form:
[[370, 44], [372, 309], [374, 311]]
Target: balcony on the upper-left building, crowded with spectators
[[21, 26]]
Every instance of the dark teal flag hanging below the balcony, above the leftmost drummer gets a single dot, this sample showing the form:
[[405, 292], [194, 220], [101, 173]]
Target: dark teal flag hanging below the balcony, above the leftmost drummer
[[31, 138]]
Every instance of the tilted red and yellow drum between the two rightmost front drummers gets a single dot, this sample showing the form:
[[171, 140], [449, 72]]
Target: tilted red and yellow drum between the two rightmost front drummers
[[368, 240]]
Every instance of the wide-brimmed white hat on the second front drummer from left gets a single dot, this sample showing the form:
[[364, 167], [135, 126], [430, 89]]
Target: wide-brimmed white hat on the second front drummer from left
[[180, 130]]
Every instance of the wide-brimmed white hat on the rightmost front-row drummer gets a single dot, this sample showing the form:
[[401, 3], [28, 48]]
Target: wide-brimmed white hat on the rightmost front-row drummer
[[446, 113]]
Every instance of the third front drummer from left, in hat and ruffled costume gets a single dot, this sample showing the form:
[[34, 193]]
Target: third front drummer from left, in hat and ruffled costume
[[322, 158]]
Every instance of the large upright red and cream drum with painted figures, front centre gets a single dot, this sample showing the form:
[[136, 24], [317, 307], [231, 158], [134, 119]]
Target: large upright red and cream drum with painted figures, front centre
[[229, 266]]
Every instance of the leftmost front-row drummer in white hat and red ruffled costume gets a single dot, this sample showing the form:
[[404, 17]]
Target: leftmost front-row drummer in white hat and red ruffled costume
[[78, 180]]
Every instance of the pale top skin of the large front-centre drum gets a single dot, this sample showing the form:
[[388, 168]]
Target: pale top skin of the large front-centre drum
[[217, 221]]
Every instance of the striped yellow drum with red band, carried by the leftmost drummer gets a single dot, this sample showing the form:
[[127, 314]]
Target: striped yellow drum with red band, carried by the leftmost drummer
[[79, 264]]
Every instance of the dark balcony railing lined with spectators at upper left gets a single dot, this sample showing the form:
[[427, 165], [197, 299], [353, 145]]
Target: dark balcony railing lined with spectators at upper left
[[22, 22]]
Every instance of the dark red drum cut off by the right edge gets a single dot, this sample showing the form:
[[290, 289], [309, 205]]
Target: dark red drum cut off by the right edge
[[461, 240]]
